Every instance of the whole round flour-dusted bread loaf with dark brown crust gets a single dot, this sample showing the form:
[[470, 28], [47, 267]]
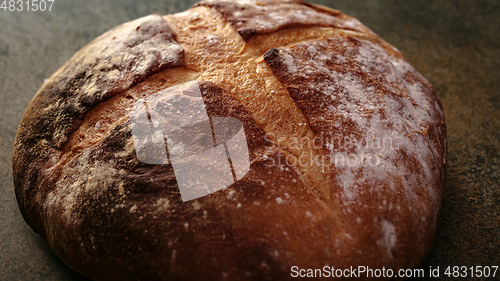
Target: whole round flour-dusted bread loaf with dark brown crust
[[343, 164]]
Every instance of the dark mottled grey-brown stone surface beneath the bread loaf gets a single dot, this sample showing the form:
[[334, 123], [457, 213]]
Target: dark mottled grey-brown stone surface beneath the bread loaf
[[454, 44]]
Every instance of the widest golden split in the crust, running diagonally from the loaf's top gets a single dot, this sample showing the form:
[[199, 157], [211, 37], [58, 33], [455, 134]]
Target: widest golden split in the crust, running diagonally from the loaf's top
[[219, 62]]
